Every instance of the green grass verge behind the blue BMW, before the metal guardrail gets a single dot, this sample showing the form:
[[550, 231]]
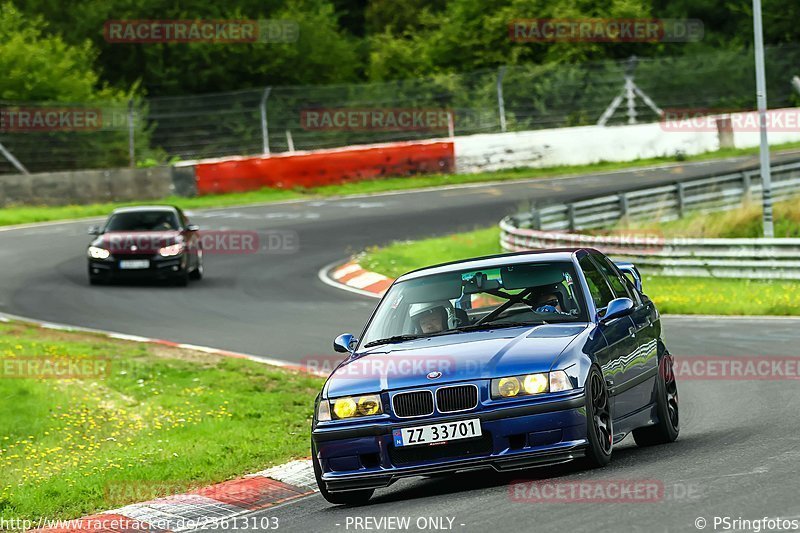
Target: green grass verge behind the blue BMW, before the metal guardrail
[[703, 296]]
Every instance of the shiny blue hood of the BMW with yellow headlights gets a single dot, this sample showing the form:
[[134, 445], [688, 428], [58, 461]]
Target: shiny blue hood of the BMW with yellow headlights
[[461, 356]]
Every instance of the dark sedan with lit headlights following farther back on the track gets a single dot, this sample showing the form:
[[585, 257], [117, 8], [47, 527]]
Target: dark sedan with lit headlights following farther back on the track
[[149, 242]]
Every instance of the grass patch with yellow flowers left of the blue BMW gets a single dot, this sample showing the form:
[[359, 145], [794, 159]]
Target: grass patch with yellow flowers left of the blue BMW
[[162, 420]]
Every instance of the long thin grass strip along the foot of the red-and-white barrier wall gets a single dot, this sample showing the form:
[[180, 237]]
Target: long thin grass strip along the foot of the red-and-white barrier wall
[[29, 214]]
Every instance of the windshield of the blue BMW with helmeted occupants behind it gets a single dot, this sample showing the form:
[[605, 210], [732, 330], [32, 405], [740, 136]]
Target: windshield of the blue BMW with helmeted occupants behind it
[[503, 296]]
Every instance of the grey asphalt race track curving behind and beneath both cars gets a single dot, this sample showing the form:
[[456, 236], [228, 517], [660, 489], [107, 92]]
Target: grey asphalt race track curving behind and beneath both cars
[[739, 447]]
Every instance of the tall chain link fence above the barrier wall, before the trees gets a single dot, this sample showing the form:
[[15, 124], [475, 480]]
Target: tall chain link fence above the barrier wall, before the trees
[[514, 98]]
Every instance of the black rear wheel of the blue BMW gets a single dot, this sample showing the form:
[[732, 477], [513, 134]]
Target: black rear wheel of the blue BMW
[[668, 426]]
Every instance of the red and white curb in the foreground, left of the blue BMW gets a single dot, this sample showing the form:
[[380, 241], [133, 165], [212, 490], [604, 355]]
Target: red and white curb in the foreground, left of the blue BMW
[[211, 506]]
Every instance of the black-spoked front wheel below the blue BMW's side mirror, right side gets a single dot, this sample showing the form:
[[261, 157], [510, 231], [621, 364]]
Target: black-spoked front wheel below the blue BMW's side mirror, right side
[[599, 423]]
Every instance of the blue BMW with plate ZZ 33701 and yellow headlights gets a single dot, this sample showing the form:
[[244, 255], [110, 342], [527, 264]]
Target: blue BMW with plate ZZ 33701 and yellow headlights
[[506, 362]]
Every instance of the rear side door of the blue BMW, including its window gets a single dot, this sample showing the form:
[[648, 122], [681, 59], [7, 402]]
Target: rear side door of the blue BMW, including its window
[[639, 370]]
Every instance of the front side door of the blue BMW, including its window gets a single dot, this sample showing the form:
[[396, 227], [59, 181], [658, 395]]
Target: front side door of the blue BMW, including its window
[[619, 333]]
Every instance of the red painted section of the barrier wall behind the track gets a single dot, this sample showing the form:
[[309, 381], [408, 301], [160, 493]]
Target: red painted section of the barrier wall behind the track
[[324, 167]]
